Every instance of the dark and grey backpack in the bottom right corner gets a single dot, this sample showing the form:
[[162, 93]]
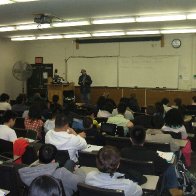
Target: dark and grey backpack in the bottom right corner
[[186, 180]]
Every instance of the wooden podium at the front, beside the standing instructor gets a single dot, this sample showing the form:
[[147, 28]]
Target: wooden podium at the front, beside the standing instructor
[[59, 89]]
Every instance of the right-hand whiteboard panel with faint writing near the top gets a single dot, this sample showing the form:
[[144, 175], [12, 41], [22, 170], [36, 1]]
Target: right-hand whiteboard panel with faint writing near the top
[[149, 71]]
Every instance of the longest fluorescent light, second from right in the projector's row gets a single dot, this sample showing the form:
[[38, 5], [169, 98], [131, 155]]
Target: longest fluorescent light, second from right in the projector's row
[[160, 18]]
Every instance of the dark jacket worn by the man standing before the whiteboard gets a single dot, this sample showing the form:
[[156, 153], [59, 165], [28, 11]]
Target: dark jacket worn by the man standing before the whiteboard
[[85, 83]]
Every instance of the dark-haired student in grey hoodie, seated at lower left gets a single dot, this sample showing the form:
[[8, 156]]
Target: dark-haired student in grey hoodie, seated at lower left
[[47, 166]]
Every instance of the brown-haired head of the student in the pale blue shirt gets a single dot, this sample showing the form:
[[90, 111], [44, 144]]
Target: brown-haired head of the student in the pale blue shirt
[[108, 159]]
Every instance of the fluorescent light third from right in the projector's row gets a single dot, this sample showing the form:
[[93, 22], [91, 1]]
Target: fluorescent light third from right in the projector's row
[[113, 20]]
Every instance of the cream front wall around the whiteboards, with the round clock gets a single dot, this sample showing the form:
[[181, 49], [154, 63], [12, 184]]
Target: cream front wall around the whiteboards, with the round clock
[[56, 51]]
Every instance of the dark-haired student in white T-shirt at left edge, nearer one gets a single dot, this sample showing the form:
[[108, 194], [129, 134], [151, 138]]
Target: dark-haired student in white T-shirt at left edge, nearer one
[[6, 131]]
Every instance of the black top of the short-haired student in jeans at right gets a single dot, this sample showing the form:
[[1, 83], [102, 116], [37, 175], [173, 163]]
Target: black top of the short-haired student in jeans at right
[[142, 154]]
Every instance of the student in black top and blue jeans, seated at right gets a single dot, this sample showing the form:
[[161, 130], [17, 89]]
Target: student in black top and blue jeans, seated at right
[[138, 152]]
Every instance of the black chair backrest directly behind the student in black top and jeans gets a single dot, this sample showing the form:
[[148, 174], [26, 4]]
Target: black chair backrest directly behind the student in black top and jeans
[[144, 167]]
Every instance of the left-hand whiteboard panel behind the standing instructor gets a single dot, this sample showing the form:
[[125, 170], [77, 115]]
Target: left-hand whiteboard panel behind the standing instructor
[[103, 70]]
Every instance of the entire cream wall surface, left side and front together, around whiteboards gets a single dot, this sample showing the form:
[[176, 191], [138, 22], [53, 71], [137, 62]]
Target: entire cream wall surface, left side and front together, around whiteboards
[[56, 51]]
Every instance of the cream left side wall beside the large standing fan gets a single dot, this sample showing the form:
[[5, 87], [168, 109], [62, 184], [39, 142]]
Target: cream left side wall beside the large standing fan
[[10, 52]]
